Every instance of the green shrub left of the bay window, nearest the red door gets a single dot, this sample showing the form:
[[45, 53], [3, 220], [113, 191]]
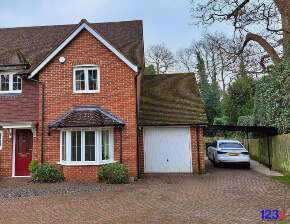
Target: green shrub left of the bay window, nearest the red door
[[47, 173]]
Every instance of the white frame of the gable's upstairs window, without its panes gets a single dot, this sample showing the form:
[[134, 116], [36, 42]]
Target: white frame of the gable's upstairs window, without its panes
[[86, 68]]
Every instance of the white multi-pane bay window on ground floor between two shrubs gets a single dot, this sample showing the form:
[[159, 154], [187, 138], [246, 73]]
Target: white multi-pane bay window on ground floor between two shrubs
[[91, 147]]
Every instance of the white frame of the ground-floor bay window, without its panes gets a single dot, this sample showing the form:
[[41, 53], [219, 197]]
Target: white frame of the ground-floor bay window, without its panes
[[98, 147]]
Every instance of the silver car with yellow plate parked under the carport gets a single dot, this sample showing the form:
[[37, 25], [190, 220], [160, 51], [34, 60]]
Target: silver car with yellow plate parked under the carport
[[228, 151]]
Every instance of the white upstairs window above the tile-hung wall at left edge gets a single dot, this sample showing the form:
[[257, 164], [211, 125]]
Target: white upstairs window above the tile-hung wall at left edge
[[10, 83]]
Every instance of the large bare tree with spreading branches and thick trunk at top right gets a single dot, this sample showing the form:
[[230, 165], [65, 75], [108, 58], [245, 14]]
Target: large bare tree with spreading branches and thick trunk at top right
[[264, 22]]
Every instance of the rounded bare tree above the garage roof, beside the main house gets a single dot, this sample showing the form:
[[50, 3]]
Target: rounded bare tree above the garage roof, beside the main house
[[161, 57]]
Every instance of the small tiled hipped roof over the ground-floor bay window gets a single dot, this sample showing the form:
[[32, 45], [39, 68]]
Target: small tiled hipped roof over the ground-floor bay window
[[86, 116]]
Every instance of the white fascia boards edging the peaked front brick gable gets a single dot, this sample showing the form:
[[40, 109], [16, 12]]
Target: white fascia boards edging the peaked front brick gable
[[76, 32]]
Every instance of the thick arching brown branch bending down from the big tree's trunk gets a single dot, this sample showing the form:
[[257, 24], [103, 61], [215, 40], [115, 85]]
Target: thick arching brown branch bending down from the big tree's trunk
[[266, 46]]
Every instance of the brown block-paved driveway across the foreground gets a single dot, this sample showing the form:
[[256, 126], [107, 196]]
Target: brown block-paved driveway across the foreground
[[223, 195]]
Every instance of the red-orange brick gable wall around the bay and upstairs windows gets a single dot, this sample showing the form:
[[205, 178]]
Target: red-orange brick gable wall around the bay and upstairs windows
[[117, 95]]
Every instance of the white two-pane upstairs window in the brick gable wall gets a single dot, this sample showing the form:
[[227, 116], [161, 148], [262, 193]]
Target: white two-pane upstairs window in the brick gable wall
[[86, 79]]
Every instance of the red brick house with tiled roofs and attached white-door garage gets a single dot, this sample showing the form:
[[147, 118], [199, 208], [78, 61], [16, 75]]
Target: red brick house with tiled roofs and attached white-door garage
[[69, 95]]
